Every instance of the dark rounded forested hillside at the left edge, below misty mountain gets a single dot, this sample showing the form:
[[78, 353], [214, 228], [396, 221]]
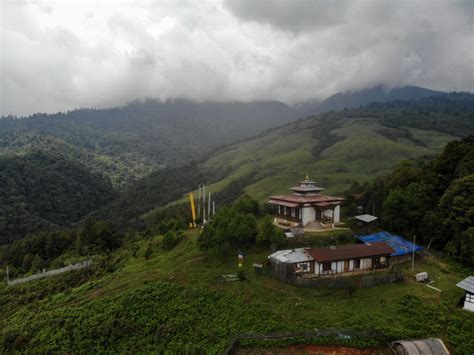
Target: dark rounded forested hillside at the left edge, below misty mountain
[[40, 190]]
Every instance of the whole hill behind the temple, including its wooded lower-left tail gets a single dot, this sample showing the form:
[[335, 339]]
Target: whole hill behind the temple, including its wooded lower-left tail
[[335, 148]]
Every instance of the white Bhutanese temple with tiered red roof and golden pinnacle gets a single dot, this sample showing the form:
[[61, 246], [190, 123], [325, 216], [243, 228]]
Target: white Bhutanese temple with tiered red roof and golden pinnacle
[[306, 207]]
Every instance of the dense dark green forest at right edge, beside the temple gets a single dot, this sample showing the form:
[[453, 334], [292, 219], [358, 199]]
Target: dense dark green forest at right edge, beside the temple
[[430, 199]]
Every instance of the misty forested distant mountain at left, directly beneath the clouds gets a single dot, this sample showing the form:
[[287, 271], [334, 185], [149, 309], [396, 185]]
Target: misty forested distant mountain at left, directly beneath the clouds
[[126, 143]]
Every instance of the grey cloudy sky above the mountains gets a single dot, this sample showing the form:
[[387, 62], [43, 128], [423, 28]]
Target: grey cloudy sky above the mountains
[[59, 55]]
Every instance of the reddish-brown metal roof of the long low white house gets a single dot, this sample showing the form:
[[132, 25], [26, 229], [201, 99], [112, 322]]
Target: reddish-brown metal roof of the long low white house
[[349, 251]]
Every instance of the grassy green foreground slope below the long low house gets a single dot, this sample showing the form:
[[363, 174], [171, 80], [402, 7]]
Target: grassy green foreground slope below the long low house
[[214, 311]]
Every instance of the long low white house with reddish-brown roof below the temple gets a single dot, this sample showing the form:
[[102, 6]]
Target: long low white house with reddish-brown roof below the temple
[[334, 260]]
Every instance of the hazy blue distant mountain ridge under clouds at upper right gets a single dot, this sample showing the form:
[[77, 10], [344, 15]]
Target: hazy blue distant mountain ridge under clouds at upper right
[[350, 99]]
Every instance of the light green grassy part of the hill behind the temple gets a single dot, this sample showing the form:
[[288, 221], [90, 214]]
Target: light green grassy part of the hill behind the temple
[[282, 157]]
